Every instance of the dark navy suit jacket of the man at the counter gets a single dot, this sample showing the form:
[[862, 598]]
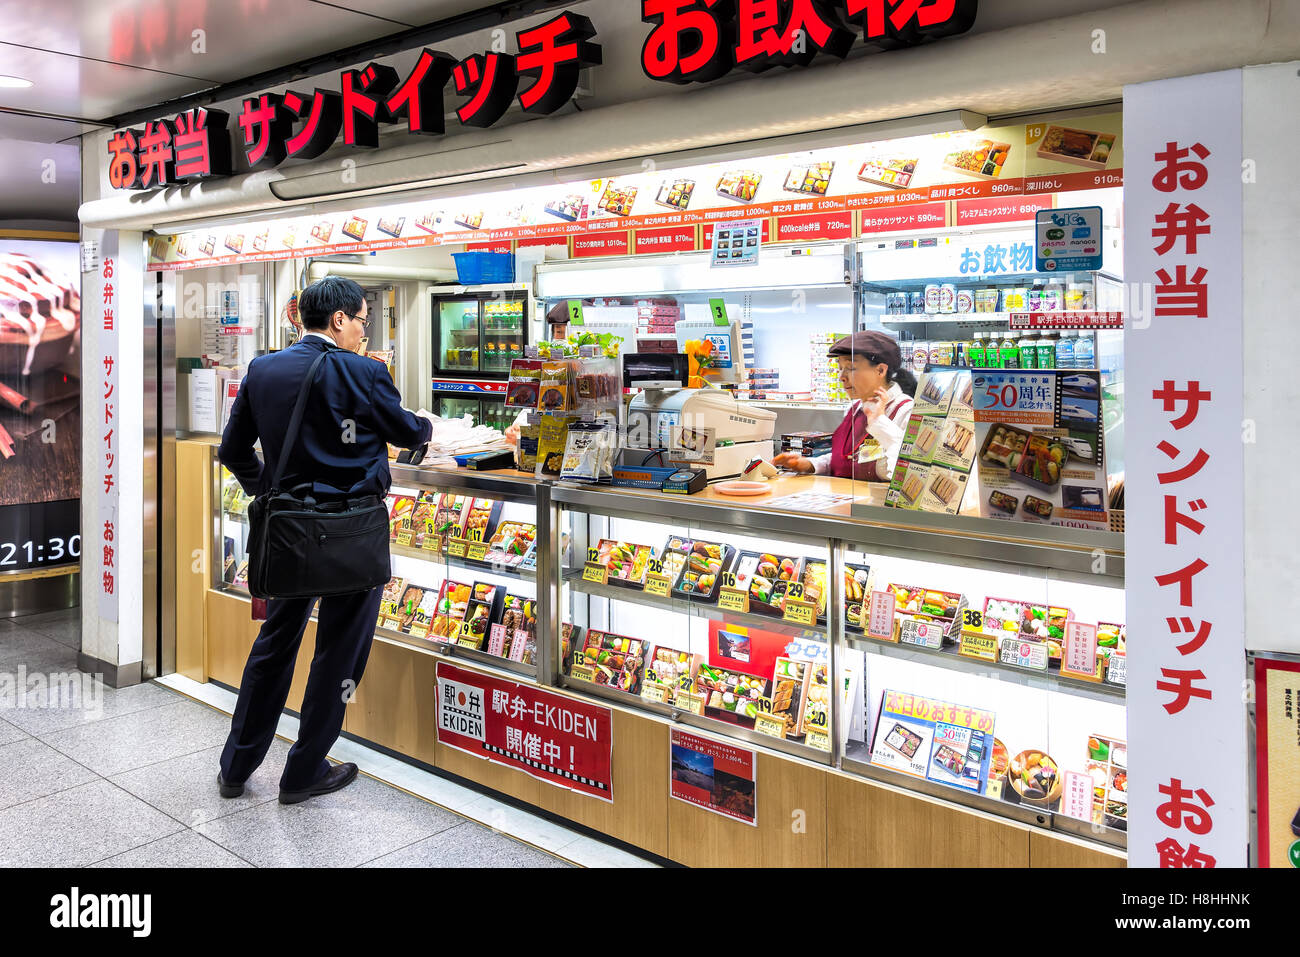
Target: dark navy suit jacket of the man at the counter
[[331, 454]]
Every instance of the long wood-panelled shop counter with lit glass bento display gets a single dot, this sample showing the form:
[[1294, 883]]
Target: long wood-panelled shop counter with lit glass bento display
[[779, 688]]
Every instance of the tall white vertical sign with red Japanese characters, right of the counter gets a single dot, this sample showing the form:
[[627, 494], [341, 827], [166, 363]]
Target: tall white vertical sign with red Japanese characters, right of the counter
[[1184, 408]]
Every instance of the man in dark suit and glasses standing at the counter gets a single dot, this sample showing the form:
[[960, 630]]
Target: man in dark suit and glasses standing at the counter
[[353, 413]]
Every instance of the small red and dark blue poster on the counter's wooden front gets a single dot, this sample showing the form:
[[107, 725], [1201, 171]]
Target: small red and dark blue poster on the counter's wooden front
[[714, 776]]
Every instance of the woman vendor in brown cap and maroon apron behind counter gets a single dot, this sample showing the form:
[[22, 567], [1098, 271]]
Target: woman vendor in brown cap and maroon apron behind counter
[[866, 444]]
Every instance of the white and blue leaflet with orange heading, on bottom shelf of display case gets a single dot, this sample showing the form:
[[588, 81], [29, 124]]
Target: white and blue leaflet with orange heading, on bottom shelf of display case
[[937, 741]]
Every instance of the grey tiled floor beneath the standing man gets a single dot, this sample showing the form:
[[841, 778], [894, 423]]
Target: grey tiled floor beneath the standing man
[[97, 777]]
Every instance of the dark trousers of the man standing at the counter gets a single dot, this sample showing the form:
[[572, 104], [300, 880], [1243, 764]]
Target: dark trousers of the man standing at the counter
[[345, 630]]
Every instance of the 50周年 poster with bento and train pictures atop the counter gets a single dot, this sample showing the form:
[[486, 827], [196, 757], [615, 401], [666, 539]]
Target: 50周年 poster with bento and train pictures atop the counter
[[1041, 447]]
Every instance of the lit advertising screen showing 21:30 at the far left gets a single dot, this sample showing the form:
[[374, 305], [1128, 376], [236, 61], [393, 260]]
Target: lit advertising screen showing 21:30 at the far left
[[40, 405]]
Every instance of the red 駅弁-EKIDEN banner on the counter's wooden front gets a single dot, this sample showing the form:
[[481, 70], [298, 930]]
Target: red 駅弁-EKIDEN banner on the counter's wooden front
[[556, 739]]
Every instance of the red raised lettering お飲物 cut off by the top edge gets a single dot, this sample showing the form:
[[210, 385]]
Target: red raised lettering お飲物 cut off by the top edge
[[701, 41]]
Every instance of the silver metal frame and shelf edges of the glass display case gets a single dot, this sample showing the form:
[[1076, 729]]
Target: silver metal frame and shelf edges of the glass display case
[[1054, 553]]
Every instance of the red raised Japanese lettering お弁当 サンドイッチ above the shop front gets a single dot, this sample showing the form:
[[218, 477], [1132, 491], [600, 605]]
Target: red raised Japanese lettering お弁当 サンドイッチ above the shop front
[[196, 145]]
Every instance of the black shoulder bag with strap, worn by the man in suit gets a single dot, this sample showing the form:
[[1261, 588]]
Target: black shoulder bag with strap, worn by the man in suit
[[304, 549]]
